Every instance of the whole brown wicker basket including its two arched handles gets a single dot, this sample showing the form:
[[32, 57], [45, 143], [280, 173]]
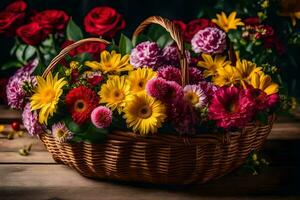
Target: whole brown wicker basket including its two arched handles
[[166, 159]]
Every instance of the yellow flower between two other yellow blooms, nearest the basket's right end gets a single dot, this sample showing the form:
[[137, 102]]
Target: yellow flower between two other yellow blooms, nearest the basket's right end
[[246, 68]]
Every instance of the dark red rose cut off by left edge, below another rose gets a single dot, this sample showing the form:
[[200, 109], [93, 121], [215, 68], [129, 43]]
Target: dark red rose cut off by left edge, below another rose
[[9, 22]]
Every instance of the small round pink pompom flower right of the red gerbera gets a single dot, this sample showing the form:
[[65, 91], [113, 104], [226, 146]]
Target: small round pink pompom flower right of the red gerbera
[[101, 117]]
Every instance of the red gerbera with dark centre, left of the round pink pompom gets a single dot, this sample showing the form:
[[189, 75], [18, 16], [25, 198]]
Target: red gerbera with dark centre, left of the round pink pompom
[[81, 101]]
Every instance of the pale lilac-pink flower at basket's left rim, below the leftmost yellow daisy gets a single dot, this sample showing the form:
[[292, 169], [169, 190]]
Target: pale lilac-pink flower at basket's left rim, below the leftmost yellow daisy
[[30, 120]]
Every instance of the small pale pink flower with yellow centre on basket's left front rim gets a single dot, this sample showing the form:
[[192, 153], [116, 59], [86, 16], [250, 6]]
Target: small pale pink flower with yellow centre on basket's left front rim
[[61, 133]]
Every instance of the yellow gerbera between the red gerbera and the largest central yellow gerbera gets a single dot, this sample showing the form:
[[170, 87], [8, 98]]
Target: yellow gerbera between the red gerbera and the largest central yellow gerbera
[[115, 92]]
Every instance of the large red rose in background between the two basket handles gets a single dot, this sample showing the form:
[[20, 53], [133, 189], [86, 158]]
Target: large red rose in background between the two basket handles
[[103, 21]]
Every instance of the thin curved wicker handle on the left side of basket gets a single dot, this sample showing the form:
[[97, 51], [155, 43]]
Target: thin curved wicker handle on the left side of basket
[[66, 50]]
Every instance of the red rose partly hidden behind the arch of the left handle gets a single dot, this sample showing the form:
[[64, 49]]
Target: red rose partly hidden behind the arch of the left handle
[[93, 48]]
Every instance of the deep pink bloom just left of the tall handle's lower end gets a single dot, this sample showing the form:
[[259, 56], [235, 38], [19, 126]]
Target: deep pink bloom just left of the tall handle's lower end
[[170, 73]]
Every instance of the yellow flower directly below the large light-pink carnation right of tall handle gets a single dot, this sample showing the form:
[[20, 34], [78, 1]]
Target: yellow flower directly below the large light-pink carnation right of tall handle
[[211, 64]]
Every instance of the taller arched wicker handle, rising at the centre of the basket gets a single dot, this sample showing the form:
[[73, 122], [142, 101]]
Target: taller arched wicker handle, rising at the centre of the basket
[[176, 36]]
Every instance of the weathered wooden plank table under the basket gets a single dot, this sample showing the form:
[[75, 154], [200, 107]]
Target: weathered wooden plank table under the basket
[[37, 176]]
